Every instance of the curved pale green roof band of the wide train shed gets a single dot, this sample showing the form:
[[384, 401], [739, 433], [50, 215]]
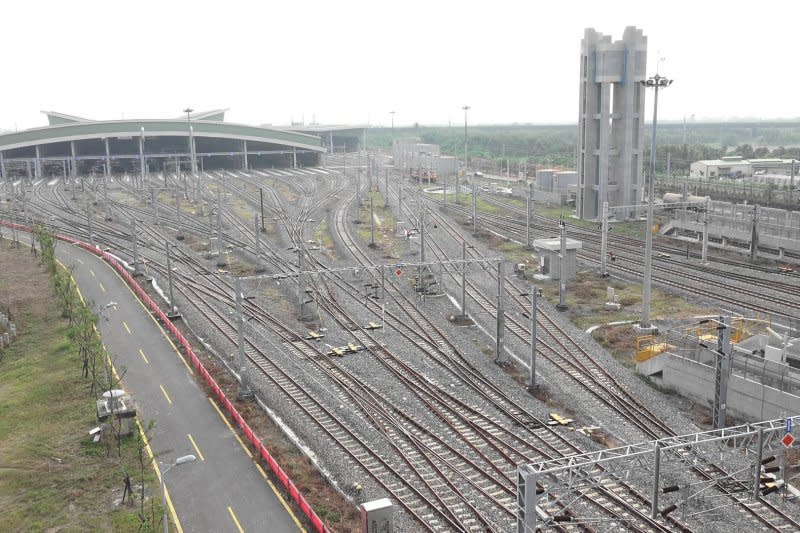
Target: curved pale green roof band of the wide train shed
[[73, 131]]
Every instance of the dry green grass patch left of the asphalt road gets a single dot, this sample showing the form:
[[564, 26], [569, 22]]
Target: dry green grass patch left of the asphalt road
[[53, 476]]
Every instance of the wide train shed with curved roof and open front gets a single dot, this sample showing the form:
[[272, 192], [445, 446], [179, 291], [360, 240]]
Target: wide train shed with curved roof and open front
[[73, 146]]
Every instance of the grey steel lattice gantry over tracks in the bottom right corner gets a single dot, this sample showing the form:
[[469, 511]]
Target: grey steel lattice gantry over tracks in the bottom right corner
[[665, 462]]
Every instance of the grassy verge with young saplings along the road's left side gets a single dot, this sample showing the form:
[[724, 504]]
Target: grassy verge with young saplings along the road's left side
[[53, 476]]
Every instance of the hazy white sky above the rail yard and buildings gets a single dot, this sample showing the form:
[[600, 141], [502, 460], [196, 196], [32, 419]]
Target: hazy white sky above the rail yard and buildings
[[348, 61]]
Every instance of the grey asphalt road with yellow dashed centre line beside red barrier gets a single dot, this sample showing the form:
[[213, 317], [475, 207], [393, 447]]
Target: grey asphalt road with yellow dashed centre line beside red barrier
[[224, 489]]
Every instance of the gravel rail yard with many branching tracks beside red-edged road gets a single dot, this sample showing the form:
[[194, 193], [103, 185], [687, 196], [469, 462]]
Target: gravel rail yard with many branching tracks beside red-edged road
[[355, 339]]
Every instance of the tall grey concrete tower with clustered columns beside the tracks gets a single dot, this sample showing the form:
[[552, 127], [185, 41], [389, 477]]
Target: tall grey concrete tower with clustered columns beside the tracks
[[610, 125]]
